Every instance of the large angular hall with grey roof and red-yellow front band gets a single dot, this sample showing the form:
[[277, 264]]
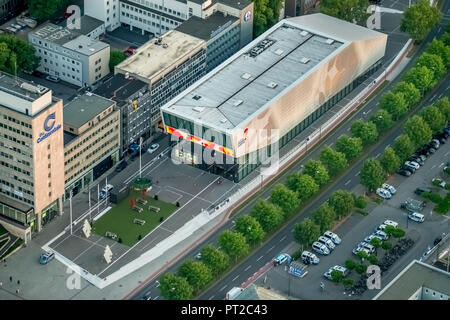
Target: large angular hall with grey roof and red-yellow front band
[[281, 83]]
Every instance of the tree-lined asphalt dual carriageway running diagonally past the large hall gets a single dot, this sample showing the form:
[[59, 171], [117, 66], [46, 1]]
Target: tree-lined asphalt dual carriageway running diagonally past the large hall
[[268, 250]]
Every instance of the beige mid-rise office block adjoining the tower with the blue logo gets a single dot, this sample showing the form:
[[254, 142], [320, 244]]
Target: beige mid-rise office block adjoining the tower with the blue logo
[[91, 140]]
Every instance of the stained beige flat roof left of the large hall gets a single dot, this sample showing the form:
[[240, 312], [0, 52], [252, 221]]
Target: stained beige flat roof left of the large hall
[[152, 59]]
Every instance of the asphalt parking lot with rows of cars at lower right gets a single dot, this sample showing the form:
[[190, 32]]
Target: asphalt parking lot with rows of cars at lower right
[[357, 227]]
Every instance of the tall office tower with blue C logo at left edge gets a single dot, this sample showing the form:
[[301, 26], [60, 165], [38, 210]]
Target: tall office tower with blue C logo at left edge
[[31, 156]]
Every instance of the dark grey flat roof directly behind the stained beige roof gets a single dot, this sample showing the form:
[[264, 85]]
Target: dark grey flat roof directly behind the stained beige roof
[[206, 28]]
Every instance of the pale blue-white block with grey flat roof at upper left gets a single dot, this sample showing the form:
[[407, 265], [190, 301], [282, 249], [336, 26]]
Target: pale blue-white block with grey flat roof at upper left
[[70, 55]]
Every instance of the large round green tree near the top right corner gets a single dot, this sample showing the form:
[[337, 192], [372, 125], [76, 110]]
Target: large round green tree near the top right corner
[[419, 19]]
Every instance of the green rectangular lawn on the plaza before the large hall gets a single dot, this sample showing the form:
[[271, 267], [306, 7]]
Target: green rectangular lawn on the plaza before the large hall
[[119, 219]]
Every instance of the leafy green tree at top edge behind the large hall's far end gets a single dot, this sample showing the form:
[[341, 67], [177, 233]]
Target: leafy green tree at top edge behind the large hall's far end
[[348, 10]]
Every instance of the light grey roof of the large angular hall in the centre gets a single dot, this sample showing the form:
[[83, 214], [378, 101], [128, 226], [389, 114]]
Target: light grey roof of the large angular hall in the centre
[[247, 82]]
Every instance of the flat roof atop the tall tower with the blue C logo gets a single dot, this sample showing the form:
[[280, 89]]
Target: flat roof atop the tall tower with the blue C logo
[[21, 88]]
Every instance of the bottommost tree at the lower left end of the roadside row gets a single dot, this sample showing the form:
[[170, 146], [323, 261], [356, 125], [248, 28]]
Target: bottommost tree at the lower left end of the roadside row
[[174, 287]]
